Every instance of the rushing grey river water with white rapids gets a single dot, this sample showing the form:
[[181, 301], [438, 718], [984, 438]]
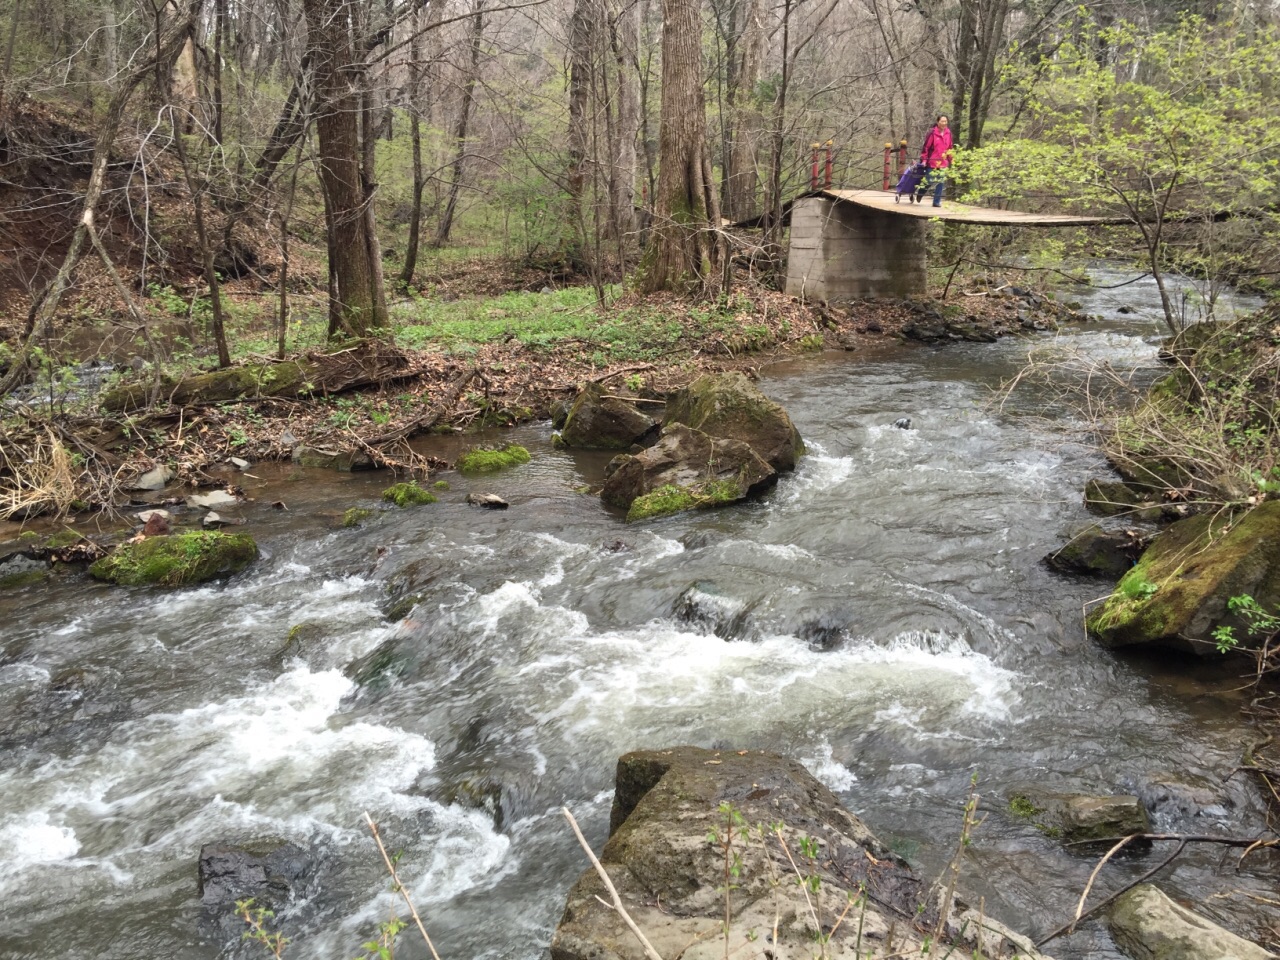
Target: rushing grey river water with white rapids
[[884, 616]]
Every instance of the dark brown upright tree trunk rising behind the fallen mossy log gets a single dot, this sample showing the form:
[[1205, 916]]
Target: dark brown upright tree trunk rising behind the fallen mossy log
[[339, 127]]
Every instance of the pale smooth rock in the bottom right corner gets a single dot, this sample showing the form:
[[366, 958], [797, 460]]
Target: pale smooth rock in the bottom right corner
[[1149, 926]]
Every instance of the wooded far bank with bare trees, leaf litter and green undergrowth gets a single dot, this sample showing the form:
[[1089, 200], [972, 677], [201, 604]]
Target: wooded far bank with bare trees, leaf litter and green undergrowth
[[472, 200]]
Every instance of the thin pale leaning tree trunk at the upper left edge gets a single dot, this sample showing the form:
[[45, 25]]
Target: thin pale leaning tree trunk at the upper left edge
[[170, 45]]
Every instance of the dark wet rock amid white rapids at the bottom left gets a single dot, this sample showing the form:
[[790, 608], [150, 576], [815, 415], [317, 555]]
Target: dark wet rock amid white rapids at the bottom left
[[269, 871]]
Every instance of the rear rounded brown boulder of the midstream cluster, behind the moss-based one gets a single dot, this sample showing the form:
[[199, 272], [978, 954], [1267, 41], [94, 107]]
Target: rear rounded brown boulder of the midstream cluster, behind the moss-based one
[[730, 406]]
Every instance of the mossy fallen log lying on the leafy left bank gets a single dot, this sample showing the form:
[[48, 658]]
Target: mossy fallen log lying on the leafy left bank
[[364, 364]]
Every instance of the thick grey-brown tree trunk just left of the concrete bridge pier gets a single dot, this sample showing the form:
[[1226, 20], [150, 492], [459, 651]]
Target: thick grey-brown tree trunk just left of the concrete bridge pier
[[687, 249]]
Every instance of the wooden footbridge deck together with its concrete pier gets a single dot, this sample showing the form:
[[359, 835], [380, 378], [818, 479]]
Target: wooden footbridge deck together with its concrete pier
[[854, 244]]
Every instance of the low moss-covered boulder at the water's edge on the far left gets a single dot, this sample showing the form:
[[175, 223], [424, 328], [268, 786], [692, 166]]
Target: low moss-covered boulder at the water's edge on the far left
[[177, 560]]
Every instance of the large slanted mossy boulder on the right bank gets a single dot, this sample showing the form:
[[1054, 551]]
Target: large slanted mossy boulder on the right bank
[[1178, 593]]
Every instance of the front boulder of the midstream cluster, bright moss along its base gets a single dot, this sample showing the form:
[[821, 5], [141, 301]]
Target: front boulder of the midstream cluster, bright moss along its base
[[685, 470]]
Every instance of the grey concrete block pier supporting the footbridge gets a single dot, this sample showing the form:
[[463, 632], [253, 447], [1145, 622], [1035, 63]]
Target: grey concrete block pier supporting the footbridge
[[844, 252]]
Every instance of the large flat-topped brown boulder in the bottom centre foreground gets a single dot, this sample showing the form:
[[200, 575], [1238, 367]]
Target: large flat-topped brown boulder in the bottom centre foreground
[[674, 815]]
